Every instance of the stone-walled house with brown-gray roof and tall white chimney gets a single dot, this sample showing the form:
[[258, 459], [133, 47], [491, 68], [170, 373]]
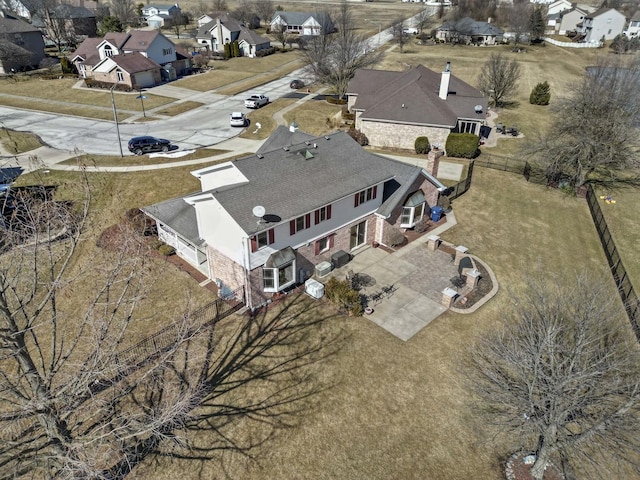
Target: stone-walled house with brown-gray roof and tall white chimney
[[394, 108]]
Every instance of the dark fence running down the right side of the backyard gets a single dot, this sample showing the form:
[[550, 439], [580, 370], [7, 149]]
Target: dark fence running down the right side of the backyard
[[625, 288]]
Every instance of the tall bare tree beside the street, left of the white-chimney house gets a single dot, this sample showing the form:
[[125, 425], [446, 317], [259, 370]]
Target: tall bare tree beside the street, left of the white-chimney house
[[333, 58]]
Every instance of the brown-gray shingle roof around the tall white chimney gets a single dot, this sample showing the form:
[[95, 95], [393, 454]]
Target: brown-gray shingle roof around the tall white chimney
[[412, 97]]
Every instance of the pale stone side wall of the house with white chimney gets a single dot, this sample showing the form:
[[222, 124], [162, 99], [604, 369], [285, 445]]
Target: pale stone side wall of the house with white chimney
[[393, 135]]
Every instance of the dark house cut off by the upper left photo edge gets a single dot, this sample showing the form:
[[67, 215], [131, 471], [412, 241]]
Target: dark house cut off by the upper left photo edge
[[21, 45]]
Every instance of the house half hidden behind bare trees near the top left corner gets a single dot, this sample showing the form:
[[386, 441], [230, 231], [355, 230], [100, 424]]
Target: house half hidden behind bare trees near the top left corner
[[77, 23]]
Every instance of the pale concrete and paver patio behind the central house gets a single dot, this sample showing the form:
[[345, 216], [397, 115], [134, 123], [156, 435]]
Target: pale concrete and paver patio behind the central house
[[404, 288]]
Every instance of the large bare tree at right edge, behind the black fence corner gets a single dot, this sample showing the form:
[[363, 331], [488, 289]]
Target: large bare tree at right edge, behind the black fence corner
[[594, 134]]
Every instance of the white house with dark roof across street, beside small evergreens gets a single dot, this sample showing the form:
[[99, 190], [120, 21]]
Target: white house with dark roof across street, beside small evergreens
[[226, 29]]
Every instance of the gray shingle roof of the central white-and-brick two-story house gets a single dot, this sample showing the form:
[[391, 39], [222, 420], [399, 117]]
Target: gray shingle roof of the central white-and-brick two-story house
[[288, 185]]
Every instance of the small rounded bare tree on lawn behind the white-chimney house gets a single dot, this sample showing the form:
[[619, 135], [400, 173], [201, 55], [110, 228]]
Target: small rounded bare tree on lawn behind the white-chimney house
[[499, 77]]
